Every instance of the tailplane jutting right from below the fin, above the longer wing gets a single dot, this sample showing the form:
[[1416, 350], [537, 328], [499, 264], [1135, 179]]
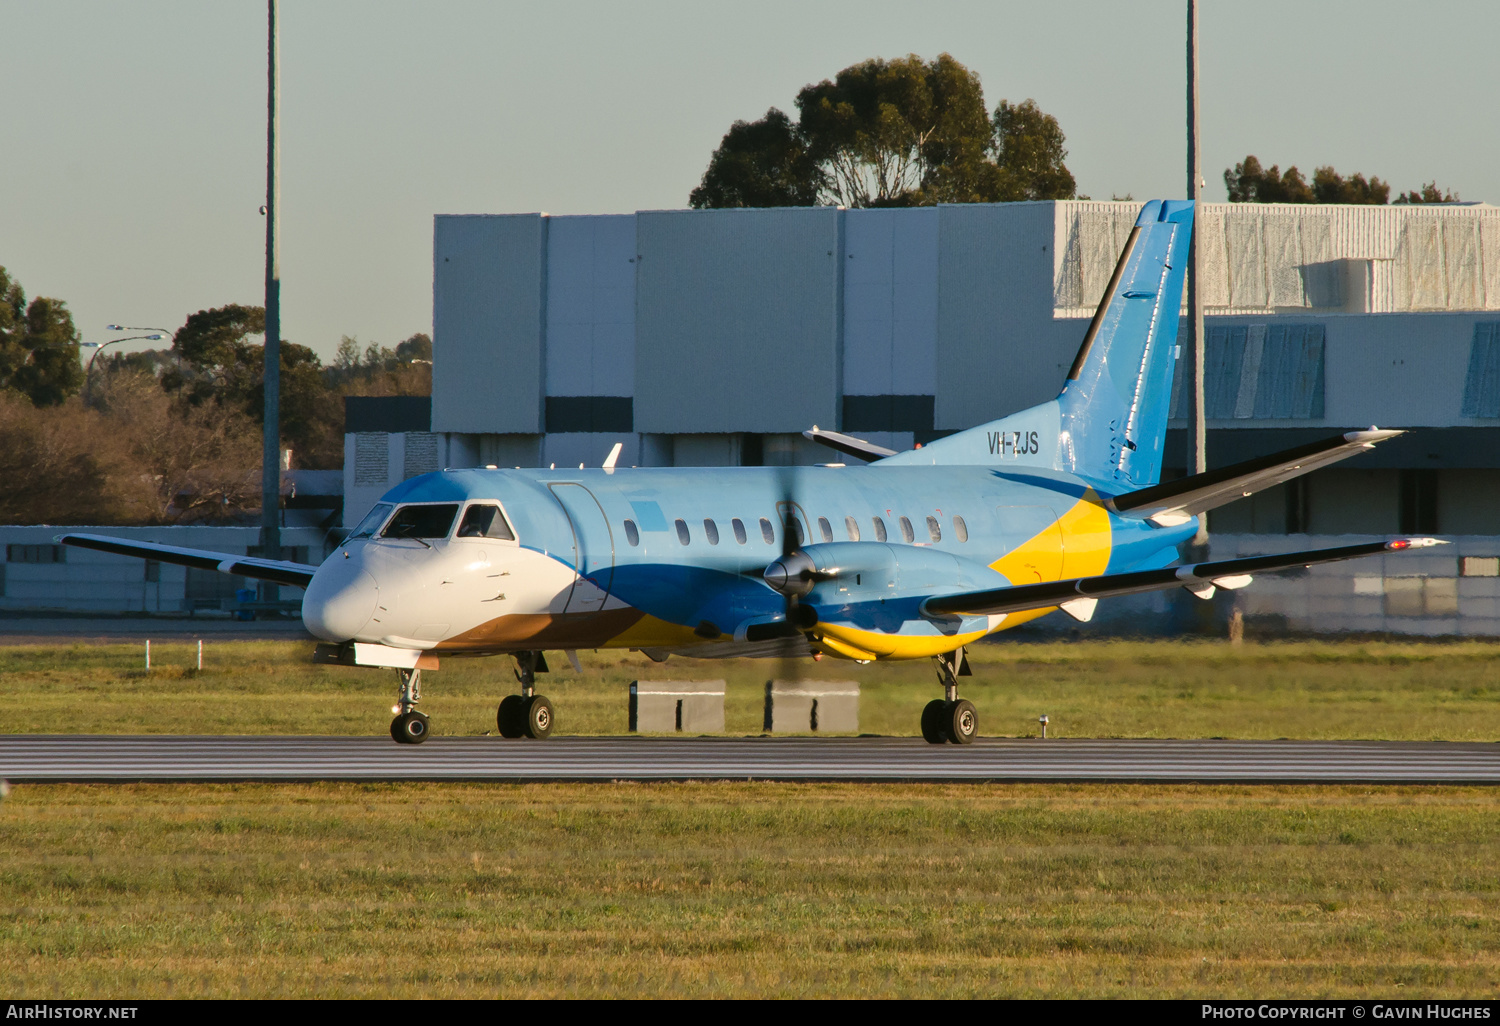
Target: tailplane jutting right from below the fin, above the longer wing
[[1174, 503]]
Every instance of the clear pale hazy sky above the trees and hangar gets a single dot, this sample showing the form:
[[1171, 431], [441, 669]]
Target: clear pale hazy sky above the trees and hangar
[[134, 134]]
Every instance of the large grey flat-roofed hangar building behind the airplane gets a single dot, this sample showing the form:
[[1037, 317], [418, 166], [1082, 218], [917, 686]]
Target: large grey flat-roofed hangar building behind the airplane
[[707, 338]]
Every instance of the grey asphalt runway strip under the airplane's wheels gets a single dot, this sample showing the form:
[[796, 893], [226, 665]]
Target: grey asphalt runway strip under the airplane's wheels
[[134, 758]]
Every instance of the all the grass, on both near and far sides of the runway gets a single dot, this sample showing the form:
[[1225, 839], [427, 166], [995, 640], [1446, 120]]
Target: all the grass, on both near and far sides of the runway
[[734, 889]]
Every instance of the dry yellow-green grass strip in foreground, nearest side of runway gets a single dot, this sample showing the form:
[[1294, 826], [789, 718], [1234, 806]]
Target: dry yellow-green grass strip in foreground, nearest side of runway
[[724, 889]]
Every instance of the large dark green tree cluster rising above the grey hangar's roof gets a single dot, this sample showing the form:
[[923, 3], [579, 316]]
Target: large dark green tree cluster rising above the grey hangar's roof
[[890, 134]]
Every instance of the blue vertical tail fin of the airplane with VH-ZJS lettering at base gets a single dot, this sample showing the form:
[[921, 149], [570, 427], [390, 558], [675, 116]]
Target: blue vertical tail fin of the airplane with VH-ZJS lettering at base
[[1109, 425]]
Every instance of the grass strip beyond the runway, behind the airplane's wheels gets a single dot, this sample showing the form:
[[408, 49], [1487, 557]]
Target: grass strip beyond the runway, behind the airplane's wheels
[[1090, 689]]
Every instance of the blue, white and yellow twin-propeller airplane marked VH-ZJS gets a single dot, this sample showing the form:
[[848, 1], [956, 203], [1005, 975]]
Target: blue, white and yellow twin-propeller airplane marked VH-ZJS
[[914, 556]]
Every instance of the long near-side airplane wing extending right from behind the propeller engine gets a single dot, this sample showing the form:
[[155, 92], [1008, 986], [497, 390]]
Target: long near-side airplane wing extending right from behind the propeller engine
[[1229, 572]]
